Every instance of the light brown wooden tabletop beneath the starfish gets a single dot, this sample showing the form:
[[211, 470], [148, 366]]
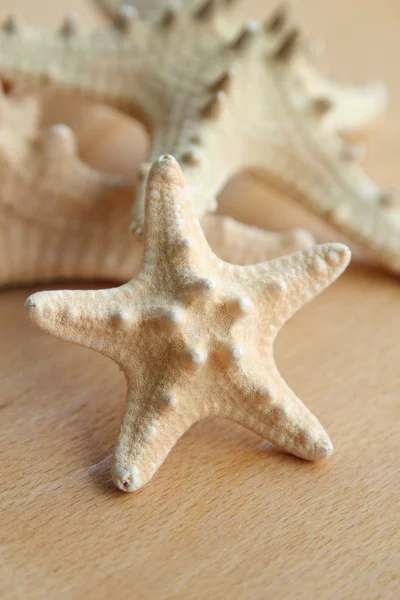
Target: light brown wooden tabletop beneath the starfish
[[226, 516]]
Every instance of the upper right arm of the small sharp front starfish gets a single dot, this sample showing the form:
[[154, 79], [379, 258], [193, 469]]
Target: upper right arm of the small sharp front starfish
[[286, 284]]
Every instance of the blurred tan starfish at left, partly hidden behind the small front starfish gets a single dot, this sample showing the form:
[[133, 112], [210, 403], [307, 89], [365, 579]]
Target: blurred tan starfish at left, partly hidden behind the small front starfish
[[75, 219]]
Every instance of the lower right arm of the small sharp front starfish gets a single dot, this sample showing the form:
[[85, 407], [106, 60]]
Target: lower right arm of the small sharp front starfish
[[273, 411]]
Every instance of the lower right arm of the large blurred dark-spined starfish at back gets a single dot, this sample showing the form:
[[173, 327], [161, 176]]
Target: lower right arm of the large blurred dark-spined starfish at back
[[325, 177]]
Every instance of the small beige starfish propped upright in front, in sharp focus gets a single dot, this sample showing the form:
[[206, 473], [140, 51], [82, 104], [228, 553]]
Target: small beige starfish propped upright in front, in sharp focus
[[194, 335]]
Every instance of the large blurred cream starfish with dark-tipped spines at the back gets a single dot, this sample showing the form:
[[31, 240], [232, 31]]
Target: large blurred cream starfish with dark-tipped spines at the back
[[223, 97]]
